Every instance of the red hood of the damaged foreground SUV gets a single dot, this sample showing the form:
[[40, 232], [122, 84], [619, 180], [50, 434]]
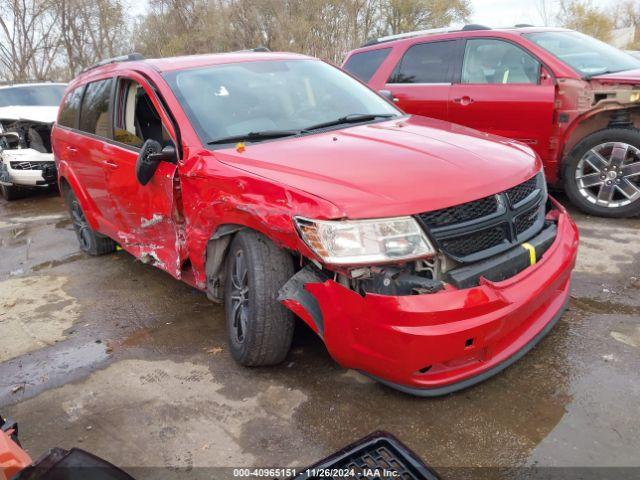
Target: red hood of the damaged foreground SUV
[[397, 167]]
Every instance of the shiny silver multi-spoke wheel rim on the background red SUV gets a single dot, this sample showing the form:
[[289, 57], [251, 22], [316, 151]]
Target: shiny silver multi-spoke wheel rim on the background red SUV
[[609, 174]]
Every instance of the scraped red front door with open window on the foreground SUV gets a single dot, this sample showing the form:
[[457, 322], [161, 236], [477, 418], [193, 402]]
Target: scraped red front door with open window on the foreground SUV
[[149, 217]]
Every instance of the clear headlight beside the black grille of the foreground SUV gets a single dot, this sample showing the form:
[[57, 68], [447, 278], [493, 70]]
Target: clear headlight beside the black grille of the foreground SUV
[[357, 242]]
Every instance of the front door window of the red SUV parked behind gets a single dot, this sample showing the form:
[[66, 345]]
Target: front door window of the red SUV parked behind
[[495, 61]]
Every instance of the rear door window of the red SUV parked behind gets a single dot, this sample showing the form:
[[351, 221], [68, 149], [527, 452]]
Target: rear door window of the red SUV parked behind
[[426, 63]]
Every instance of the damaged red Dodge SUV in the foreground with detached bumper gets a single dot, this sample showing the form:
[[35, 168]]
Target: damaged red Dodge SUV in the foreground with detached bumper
[[424, 254]]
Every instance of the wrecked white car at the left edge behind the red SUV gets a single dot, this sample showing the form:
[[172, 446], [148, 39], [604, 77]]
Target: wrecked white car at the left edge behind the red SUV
[[27, 113]]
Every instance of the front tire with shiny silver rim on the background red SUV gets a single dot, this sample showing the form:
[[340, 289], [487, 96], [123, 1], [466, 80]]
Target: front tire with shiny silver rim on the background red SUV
[[602, 173]]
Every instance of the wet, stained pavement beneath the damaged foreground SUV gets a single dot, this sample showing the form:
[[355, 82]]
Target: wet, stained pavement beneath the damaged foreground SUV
[[118, 358]]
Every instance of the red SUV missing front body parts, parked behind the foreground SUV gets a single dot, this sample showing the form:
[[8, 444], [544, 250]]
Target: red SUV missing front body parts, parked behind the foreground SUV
[[573, 99]]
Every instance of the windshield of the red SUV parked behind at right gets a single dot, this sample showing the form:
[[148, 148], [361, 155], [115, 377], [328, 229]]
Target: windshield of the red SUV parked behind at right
[[583, 53]]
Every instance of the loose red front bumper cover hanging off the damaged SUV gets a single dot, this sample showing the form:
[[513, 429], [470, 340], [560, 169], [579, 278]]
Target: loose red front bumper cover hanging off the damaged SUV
[[437, 343]]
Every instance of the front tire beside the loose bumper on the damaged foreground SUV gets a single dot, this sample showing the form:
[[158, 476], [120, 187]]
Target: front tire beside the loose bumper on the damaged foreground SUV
[[259, 328]]
